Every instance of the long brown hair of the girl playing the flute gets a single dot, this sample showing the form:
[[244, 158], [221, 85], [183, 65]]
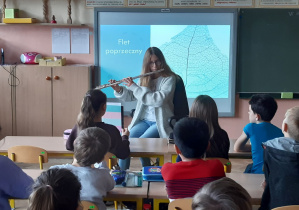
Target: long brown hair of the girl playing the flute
[[144, 81]]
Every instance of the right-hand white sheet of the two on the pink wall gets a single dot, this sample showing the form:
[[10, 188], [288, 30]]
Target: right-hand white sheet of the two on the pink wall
[[80, 40]]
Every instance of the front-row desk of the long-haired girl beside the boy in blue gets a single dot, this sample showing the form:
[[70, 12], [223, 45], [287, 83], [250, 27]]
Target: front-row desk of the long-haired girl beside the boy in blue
[[231, 153]]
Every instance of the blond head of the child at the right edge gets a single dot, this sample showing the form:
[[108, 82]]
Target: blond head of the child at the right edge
[[290, 125]]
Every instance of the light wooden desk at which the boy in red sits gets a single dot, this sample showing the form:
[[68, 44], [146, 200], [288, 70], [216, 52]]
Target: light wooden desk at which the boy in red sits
[[251, 182]]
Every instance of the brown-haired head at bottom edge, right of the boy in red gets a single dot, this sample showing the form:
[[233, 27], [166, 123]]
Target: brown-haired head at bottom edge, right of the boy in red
[[224, 194]]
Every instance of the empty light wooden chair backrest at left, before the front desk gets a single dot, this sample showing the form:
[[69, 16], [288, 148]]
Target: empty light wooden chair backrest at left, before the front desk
[[28, 154]]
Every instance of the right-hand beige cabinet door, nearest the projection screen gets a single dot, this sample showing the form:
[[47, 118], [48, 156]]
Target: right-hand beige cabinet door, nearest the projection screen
[[70, 84]]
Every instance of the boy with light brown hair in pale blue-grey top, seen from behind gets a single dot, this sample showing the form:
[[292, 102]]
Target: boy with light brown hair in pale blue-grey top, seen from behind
[[90, 147]]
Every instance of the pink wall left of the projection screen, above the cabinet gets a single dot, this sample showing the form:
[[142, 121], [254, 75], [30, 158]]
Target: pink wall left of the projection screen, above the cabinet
[[18, 38]]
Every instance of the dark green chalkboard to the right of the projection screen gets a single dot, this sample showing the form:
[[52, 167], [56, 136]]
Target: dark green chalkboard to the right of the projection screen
[[268, 51]]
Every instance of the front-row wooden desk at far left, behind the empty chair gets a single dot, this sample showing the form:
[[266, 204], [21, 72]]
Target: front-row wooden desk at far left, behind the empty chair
[[55, 146]]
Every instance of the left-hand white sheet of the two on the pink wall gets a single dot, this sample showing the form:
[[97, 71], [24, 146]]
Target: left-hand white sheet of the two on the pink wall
[[61, 40]]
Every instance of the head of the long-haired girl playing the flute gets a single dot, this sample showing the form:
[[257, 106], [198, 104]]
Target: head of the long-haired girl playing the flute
[[154, 60]]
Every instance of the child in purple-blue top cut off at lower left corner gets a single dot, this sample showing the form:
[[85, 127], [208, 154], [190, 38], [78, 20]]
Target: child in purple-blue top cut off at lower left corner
[[14, 183]]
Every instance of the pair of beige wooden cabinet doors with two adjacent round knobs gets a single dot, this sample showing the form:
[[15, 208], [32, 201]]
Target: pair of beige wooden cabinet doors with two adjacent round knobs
[[48, 99]]
